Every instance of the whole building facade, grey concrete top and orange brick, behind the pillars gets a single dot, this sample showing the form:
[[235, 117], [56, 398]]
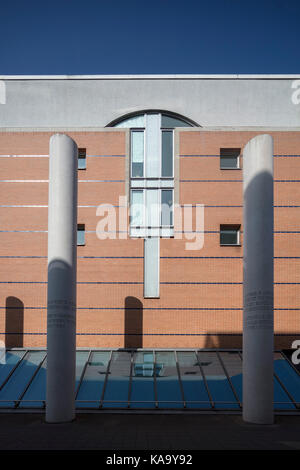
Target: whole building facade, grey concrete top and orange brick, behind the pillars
[[169, 275]]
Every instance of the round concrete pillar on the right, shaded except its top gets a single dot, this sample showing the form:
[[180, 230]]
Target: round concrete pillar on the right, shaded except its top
[[258, 330]]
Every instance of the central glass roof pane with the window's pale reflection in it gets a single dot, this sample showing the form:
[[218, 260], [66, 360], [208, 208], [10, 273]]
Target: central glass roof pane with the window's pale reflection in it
[[142, 386]]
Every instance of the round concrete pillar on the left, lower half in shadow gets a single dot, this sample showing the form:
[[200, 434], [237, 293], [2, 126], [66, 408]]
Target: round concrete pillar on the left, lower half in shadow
[[62, 257]]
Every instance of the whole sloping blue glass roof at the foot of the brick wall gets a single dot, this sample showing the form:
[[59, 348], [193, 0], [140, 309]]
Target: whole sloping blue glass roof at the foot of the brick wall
[[145, 379]]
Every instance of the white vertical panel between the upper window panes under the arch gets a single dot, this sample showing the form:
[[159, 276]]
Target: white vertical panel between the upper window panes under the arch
[[153, 145]]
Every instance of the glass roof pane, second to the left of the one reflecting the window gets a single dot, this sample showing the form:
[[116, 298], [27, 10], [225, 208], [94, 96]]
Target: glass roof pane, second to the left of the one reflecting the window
[[91, 387]]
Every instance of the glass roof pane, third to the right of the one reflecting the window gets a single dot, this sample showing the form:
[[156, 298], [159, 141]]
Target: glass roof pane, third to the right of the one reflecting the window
[[217, 382]]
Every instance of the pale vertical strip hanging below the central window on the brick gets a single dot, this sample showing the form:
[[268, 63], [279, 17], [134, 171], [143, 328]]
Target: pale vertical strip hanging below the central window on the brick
[[151, 267]]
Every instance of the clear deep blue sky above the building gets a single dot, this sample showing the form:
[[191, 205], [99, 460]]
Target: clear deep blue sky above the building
[[149, 36]]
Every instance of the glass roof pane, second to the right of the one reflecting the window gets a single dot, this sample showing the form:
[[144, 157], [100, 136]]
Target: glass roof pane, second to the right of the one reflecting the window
[[194, 389]]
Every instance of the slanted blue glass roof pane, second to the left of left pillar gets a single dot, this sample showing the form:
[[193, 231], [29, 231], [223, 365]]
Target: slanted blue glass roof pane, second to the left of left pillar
[[17, 383]]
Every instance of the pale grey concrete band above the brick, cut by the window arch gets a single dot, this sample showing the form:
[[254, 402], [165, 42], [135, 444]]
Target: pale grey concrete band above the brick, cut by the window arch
[[96, 101]]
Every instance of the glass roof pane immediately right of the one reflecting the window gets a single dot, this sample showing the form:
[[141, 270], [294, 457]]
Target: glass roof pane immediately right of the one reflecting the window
[[167, 382]]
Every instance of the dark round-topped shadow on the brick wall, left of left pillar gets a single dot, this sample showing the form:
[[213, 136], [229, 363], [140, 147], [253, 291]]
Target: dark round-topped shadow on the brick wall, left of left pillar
[[14, 322]]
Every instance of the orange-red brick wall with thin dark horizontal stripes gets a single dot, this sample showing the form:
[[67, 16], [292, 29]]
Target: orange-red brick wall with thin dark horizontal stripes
[[200, 301]]
